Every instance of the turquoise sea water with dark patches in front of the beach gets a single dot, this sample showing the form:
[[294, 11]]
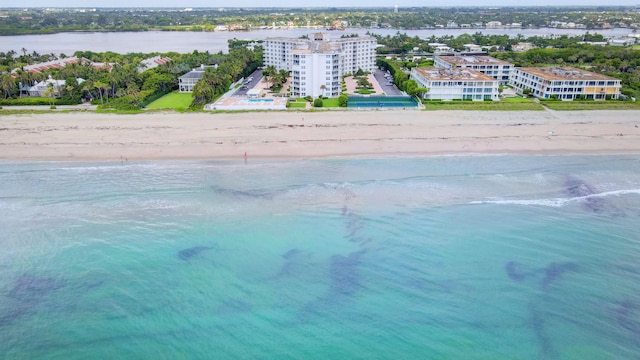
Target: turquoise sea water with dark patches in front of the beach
[[494, 257]]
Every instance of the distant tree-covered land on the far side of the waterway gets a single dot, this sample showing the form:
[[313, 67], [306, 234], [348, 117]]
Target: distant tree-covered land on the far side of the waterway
[[43, 21]]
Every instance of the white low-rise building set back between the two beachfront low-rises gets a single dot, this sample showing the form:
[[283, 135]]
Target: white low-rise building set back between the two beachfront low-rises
[[485, 64]]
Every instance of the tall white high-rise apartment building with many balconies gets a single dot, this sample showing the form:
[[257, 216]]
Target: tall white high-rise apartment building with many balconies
[[318, 63]]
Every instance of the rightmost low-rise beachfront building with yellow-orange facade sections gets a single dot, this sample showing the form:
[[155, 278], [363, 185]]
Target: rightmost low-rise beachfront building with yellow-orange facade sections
[[564, 83]]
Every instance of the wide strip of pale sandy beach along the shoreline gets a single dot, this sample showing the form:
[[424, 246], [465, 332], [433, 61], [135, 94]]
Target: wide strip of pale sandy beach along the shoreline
[[297, 135]]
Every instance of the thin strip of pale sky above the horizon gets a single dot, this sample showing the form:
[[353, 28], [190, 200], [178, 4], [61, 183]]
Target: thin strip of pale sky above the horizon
[[298, 3]]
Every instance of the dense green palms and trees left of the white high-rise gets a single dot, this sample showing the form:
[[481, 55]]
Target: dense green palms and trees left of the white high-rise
[[119, 82]]
